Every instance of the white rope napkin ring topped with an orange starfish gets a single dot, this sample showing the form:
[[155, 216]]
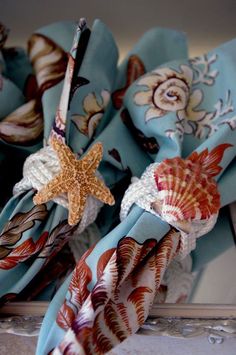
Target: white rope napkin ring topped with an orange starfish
[[50, 171]]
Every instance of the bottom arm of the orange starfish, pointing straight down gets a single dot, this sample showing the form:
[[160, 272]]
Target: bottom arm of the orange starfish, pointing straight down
[[77, 200]]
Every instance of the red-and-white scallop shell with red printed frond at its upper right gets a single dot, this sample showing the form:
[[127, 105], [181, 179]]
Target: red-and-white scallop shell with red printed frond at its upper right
[[186, 187]]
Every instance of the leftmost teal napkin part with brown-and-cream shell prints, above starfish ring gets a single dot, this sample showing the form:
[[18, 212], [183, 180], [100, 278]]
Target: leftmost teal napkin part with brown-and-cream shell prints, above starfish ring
[[26, 80]]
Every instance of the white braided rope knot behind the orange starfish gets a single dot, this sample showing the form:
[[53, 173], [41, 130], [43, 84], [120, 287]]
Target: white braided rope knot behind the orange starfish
[[41, 167]]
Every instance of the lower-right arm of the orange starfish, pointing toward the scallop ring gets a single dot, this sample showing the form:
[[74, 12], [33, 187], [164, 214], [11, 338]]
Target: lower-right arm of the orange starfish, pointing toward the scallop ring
[[98, 189]]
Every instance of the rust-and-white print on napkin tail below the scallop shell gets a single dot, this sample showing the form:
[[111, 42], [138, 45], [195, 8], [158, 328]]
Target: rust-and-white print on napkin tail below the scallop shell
[[128, 277]]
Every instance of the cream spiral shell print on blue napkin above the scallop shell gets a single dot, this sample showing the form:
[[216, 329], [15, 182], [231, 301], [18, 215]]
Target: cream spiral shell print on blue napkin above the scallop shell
[[168, 91]]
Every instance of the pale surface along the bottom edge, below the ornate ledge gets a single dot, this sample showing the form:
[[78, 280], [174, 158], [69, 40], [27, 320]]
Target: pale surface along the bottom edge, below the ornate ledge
[[136, 345]]
